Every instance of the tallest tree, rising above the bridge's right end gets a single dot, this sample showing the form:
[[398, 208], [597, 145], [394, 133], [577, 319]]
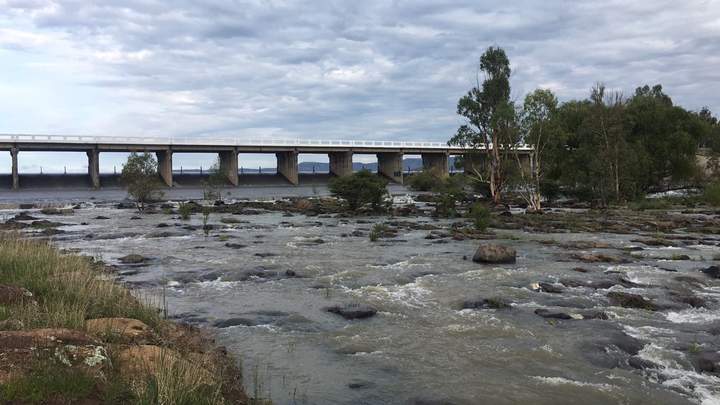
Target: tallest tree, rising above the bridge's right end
[[491, 118]]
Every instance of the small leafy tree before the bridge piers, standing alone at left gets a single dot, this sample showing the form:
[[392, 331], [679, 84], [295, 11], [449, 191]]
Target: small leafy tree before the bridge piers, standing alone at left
[[140, 176]]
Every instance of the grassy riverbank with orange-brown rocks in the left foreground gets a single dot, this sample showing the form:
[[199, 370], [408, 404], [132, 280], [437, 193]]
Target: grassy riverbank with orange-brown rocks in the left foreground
[[69, 334]]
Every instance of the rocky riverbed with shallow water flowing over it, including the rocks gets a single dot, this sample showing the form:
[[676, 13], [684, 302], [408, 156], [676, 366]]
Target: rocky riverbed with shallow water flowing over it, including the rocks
[[598, 307]]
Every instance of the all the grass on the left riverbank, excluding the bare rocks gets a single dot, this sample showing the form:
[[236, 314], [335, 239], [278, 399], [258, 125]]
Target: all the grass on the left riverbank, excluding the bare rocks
[[70, 289]]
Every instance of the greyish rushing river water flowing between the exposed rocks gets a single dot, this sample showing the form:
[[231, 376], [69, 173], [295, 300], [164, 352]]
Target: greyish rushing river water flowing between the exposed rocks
[[420, 346]]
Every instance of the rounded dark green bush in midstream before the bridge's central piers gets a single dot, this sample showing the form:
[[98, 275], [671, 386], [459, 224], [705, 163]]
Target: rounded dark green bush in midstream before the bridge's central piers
[[360, 189]]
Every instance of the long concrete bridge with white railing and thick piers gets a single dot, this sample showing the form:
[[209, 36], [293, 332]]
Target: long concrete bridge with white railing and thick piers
[[389, 153]]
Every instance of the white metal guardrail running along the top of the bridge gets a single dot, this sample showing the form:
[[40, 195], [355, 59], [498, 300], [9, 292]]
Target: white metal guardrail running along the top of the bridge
[[237, 141]]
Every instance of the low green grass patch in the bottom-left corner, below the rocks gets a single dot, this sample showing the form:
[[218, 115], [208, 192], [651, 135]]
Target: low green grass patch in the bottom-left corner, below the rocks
[[46, 383]]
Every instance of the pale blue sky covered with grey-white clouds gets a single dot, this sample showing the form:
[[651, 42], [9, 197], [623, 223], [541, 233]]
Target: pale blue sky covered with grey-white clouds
[[385, 70]]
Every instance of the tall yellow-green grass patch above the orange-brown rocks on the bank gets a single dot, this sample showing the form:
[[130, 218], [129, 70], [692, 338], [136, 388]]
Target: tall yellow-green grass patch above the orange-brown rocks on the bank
[[66, 287]]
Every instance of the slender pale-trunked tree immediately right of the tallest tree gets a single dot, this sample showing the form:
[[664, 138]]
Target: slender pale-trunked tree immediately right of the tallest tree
[[540, 130]]
